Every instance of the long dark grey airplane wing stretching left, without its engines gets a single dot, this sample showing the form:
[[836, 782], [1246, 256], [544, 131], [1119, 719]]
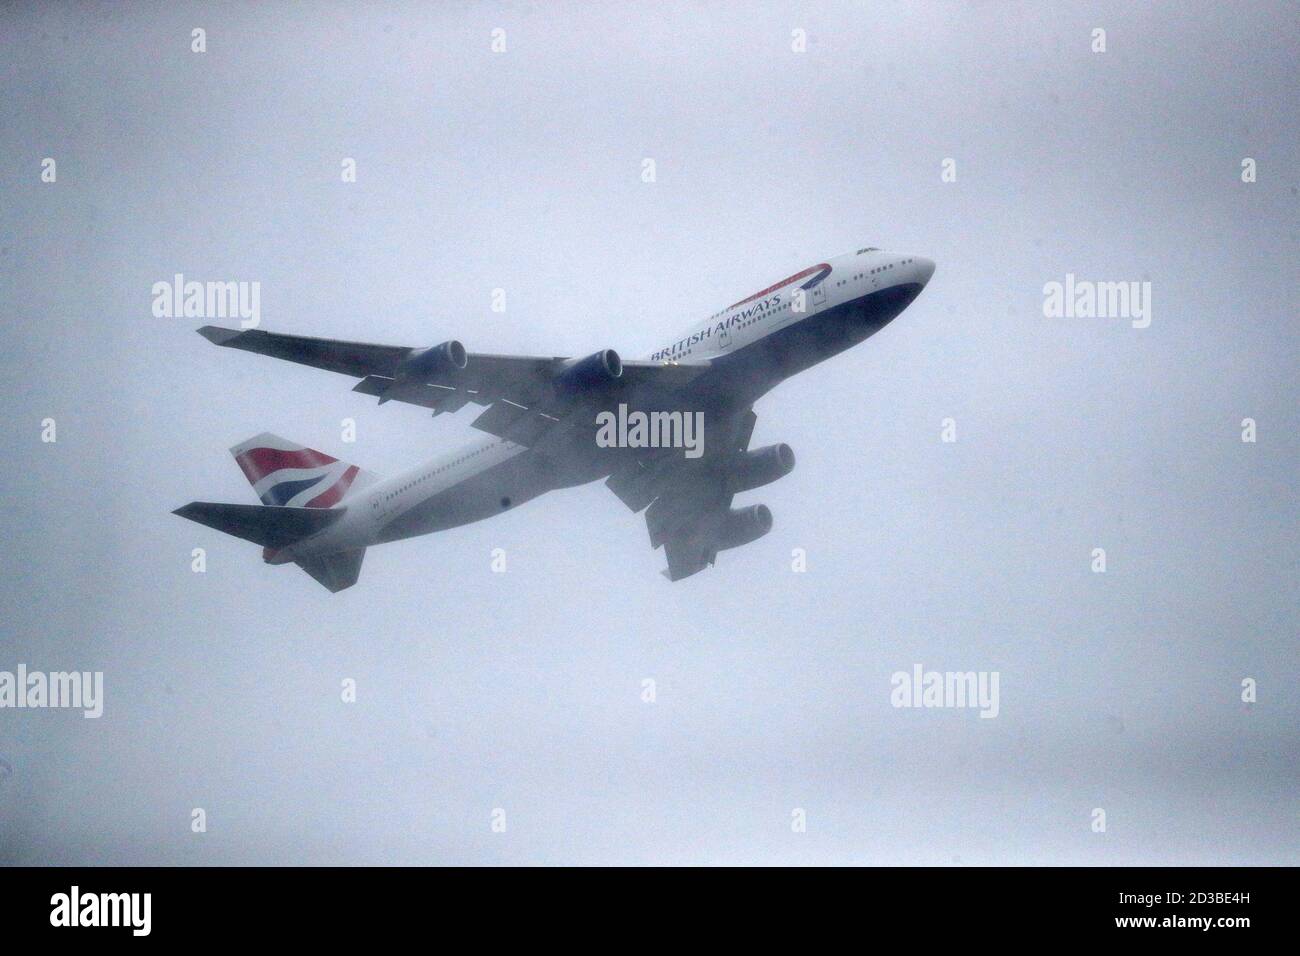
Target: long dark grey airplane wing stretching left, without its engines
[[521, 382]]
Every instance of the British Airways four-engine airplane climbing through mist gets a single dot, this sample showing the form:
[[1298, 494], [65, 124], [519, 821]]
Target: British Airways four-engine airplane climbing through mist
[[541, 427]]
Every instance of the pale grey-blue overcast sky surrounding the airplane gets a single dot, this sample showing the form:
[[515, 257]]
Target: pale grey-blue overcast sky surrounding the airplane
[[523, 691]]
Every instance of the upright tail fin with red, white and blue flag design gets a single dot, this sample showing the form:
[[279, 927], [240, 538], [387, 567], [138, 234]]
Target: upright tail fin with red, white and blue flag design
[[288, 475]]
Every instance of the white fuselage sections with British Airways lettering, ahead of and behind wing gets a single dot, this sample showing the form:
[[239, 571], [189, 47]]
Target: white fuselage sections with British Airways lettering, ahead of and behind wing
[[489, 475]]
